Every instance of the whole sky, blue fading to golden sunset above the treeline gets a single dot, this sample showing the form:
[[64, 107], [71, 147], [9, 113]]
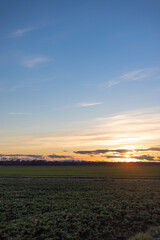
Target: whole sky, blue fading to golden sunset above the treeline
[[79, 77]]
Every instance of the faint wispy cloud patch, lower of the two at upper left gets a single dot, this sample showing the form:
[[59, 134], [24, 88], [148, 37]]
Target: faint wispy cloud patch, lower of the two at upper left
[[31, 62]]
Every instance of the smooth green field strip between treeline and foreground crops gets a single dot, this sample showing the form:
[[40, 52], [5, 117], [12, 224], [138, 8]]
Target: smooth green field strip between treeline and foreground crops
[[125, 171]]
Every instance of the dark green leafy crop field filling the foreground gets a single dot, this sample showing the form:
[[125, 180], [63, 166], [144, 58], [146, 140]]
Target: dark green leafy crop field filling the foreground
[[77, 210]]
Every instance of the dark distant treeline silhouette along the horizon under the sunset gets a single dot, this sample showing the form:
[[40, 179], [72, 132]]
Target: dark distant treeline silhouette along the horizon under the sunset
[[71, 163]]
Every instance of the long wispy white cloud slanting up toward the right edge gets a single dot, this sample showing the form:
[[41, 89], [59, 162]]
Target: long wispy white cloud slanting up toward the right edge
[[131, 76]]
